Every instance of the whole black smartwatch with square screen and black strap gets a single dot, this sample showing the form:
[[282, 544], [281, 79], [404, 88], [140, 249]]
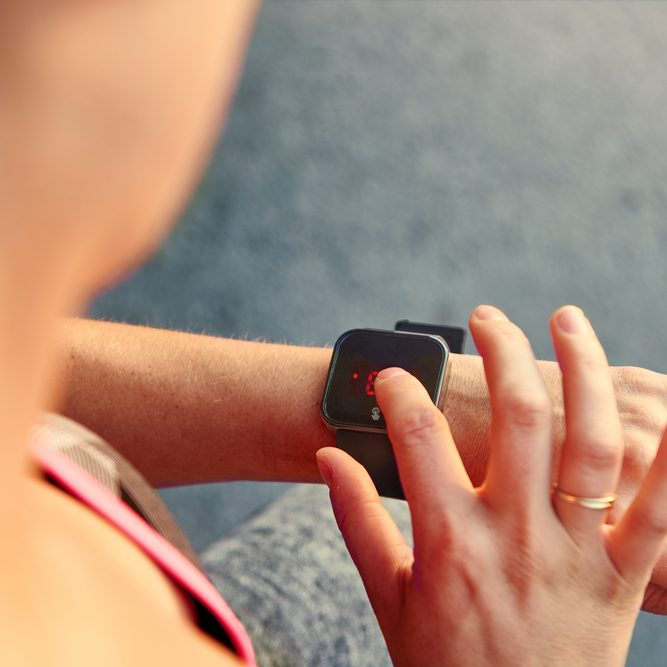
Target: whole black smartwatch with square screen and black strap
[[349, 406]]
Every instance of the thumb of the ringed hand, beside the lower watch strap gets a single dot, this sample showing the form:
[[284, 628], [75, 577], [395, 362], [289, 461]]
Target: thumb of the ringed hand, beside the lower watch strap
[[376, 545]]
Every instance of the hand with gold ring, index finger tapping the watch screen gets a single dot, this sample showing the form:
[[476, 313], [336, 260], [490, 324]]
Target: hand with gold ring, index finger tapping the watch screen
[[506, 574]]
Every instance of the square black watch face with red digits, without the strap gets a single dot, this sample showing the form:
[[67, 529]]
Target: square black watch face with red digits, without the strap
[[359, 355]]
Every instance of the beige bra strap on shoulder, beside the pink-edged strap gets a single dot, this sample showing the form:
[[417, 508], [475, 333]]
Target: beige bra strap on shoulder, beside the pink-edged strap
[[104, 463]]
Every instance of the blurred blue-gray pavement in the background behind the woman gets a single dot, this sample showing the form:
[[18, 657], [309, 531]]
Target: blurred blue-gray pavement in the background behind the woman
[[392, 159]]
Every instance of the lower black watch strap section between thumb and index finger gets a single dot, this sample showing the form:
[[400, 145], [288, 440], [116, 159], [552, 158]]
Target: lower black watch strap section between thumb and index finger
[[374, 452]]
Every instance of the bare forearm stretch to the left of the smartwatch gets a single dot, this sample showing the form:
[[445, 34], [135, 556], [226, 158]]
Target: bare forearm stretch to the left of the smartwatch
[[188, 408]]
